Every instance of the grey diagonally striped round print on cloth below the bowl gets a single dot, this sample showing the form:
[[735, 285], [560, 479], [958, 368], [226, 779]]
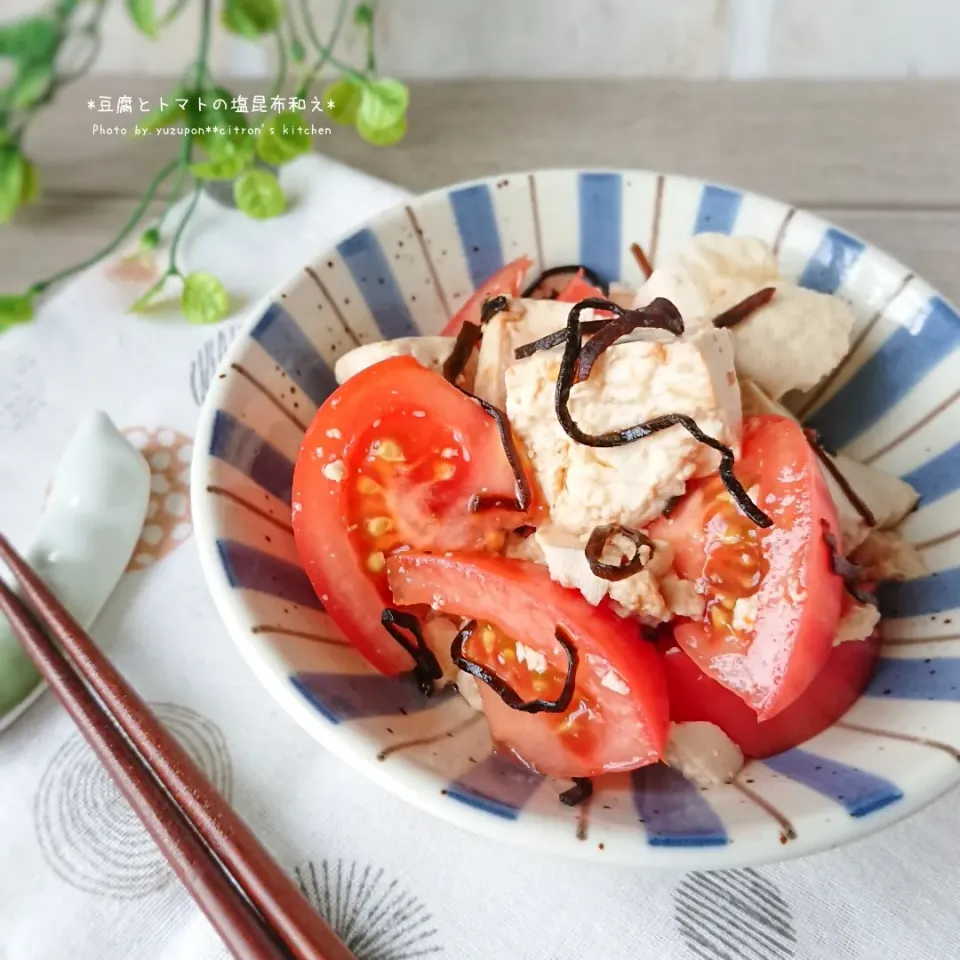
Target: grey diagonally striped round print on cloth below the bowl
[[733, 914]]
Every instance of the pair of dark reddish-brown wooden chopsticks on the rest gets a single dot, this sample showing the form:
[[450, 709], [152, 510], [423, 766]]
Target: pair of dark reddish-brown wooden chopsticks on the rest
[[257, 910]]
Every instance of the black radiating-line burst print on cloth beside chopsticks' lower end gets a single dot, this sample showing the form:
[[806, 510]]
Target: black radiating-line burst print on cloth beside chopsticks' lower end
[[374, 916]]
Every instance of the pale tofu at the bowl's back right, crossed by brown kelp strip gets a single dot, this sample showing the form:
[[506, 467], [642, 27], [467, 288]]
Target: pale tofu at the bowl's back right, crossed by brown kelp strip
[[792, 343]]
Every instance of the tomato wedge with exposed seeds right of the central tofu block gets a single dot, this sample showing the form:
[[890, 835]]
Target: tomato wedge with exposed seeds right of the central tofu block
[[773, 601]]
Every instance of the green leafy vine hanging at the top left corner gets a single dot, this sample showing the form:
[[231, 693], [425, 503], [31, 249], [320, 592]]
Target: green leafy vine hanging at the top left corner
[[218, 142]]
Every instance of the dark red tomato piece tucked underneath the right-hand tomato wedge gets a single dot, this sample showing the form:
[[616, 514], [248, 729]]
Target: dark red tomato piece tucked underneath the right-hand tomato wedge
[[695, 696]]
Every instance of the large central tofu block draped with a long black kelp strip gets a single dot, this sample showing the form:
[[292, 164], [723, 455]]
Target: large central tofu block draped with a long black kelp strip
[[631, 382]]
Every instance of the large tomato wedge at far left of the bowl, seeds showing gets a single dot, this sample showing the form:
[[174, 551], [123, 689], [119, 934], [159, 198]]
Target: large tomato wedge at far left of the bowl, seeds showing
[[391, 461]]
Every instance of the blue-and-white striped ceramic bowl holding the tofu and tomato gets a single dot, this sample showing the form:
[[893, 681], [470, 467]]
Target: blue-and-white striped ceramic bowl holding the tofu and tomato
[[891, 403]]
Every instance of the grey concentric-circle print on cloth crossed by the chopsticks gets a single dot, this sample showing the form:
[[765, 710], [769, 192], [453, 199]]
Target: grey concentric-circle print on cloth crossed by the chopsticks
[[85, 828]]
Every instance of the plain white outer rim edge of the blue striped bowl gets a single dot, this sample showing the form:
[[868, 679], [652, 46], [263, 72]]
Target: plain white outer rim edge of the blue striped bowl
[[534, 830]]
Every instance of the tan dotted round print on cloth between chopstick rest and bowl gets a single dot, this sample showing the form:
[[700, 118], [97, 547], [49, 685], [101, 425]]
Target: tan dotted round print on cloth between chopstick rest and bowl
[[168, 521]]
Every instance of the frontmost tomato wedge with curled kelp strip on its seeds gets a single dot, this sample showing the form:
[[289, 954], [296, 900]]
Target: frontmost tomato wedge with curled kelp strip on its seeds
[[617, 719]]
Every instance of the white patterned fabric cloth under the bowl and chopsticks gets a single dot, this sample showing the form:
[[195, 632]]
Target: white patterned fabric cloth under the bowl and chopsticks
[[80, 879]]
